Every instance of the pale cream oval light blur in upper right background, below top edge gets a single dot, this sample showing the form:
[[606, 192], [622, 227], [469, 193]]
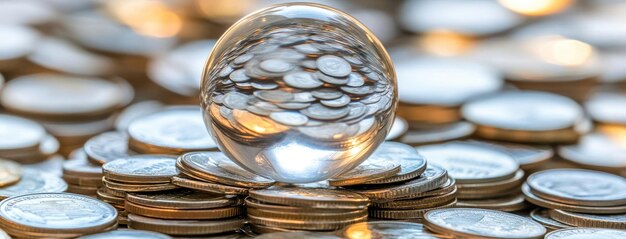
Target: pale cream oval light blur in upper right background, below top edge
[[562, 51]]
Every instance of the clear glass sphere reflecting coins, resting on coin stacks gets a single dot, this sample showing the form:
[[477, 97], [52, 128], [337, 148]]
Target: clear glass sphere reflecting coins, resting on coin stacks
[[298, 92]]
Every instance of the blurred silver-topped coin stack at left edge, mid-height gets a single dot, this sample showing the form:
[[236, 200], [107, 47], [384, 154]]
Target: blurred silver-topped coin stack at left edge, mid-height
[[71, 108]]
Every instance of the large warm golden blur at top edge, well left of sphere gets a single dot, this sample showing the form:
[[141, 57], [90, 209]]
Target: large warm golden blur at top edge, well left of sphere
[[146, 17]]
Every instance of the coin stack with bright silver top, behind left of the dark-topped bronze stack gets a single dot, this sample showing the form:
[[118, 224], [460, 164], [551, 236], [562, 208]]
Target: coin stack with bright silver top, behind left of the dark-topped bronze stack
[[139, 173]]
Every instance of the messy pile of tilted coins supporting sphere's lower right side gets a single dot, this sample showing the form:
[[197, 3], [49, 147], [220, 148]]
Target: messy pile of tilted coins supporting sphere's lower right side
[[399, 183]]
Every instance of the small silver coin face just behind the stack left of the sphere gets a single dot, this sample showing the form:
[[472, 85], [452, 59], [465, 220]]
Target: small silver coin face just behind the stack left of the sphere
[[106, 147]]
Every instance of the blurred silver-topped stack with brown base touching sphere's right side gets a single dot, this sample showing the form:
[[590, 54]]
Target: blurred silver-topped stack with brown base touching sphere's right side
[[432, 90]]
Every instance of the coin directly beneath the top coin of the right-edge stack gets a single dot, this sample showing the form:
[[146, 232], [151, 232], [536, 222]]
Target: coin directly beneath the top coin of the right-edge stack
[[534, 199]]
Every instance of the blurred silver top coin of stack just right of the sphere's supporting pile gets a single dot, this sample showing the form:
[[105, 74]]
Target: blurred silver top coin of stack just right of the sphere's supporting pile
[[470, 163]]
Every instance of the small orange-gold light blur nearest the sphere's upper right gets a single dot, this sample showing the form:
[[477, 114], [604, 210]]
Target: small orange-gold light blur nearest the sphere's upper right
[[445, 43]]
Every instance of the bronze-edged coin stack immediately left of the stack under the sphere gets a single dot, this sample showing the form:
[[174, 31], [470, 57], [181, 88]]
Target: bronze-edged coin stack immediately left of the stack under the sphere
[[185, 212]]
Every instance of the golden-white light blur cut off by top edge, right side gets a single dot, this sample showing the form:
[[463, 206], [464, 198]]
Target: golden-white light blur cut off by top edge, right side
[[536, 7]]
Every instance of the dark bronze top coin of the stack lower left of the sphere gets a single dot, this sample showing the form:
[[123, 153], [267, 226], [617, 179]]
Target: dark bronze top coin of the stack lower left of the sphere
[[182, 199]]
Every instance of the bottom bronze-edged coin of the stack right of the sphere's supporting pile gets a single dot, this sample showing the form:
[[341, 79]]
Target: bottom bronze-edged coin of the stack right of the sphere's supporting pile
[[506, 204]]
